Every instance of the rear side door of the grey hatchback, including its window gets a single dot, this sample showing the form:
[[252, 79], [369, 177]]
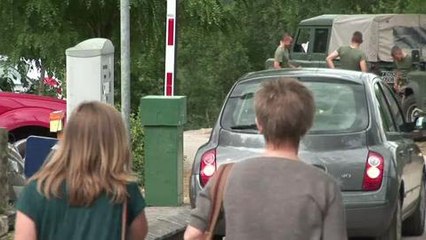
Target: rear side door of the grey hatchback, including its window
[[412, 160]]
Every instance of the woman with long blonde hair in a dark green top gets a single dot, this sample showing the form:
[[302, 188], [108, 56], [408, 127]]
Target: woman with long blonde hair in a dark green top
[[81, 192]]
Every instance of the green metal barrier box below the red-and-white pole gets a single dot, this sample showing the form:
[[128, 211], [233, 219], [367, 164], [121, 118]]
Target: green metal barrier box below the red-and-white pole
[[163, 119]]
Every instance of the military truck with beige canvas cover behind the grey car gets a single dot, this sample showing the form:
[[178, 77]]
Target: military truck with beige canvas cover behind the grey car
[[316, 37]]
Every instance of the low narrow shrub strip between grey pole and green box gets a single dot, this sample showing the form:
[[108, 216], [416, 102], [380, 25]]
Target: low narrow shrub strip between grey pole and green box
[[137, 138]]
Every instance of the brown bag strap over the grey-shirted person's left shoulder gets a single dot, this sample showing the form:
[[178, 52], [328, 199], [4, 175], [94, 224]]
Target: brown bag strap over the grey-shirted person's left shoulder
[[216, 196]]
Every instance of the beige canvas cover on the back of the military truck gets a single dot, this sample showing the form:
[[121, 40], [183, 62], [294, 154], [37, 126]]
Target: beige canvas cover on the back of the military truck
[[380, 33]]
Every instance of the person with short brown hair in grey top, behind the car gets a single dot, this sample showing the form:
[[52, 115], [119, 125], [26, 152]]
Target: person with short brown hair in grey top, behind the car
[[277, 196]]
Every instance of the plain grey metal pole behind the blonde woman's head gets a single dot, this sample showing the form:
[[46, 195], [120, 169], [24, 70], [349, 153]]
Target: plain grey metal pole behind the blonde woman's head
[[125, 61]]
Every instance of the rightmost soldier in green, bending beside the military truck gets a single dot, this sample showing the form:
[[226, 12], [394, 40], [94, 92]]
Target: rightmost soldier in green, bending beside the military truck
[[403, 64]]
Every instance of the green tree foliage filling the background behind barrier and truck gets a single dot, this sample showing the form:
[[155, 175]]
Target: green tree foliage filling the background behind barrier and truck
[[218, 40]]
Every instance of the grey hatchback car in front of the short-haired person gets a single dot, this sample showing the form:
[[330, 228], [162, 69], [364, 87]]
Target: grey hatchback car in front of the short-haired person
[[359, 136]]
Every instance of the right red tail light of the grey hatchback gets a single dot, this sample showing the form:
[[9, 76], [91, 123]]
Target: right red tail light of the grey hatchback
[[373, 175]]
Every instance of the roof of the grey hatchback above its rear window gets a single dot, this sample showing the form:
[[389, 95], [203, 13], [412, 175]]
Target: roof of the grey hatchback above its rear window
[[345, 75]]
